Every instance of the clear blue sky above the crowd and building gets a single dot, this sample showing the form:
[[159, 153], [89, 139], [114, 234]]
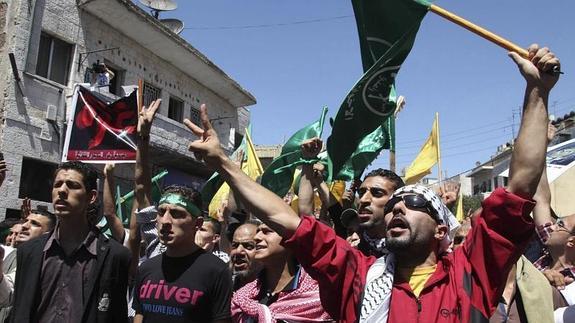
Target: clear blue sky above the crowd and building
[[297, 56]]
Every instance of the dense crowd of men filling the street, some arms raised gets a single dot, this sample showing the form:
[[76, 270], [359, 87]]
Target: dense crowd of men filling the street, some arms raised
[[401, 256]]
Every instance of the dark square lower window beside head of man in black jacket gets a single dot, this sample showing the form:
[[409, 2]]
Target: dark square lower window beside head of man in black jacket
[[36, 179]]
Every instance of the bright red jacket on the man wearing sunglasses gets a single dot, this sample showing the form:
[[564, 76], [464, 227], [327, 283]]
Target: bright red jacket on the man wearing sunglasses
[[465, 287]]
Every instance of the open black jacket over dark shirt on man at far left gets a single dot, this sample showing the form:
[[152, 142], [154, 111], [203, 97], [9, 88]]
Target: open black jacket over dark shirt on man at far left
[[107, 287]]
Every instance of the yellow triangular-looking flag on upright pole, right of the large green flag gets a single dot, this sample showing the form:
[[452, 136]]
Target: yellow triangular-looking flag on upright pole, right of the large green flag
[[427, 158]]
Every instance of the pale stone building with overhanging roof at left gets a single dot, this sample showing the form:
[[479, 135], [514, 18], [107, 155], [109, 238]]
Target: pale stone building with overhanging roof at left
[[55, 42]]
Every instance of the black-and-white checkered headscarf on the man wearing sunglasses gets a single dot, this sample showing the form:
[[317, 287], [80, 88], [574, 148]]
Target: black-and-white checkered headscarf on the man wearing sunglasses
[[445, 216]]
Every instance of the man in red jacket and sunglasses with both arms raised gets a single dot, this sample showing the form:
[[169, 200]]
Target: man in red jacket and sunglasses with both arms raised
[[428, 286]]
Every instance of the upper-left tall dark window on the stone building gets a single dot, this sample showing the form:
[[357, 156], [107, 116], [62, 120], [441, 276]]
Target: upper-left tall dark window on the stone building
[[54, 57]]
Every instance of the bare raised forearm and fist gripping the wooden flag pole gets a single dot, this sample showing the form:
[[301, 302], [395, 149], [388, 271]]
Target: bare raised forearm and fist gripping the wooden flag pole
[[528, 158]]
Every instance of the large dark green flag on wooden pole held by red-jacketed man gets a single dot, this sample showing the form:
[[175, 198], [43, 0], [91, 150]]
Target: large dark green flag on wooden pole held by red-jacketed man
[[387, 30]]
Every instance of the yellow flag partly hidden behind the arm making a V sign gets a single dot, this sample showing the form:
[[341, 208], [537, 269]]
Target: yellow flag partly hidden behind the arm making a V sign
[[252, 167]]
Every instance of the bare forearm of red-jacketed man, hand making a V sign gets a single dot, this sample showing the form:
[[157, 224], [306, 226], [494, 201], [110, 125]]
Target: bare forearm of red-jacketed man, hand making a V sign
[[264, 204]]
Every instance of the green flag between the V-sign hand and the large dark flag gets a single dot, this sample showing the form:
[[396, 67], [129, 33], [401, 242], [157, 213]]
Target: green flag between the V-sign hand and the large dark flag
[[278, 176]]
